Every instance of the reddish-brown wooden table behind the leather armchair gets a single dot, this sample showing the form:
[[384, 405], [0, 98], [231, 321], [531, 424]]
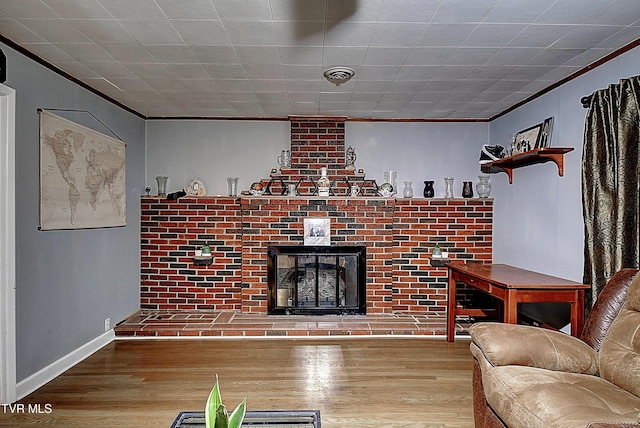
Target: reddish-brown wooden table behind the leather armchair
[[513, 285]]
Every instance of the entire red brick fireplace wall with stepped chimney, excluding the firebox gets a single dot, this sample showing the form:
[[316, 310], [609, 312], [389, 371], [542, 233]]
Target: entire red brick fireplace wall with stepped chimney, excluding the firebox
[[399, 235]]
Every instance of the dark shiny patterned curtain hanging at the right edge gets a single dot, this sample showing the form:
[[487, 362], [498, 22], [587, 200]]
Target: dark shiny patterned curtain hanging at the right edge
[[610, 189]]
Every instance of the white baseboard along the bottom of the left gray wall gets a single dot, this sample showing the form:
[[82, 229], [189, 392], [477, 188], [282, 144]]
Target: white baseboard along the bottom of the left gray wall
[[55, 369]]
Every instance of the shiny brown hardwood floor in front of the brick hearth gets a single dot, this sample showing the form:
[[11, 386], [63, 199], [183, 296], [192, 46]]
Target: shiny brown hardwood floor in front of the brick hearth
[[360, 382]]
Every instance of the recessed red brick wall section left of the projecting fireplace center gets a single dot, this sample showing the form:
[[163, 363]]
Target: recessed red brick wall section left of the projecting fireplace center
[[170, 232]]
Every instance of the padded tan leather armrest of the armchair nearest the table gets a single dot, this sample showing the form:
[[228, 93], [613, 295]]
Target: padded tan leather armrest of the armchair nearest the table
[[511, 344]]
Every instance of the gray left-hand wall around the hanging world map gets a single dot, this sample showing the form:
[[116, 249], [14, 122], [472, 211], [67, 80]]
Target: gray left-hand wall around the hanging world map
[[68, 282]]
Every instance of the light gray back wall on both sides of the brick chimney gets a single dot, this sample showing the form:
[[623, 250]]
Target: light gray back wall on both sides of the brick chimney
[[213, 150]]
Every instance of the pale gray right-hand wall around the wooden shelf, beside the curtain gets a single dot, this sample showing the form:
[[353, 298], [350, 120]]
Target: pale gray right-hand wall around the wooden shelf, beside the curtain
[[538, 219]]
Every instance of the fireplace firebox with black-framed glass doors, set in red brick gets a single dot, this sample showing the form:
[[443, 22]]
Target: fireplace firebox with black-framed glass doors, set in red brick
[[309, 280]]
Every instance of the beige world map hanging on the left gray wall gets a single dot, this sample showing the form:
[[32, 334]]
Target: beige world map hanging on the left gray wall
[[82, 176]]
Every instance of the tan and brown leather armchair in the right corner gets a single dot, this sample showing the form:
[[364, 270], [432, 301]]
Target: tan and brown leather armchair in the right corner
[[536, 377]]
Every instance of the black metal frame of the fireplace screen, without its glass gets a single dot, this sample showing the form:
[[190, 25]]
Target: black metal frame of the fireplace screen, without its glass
[[293, 306]]
